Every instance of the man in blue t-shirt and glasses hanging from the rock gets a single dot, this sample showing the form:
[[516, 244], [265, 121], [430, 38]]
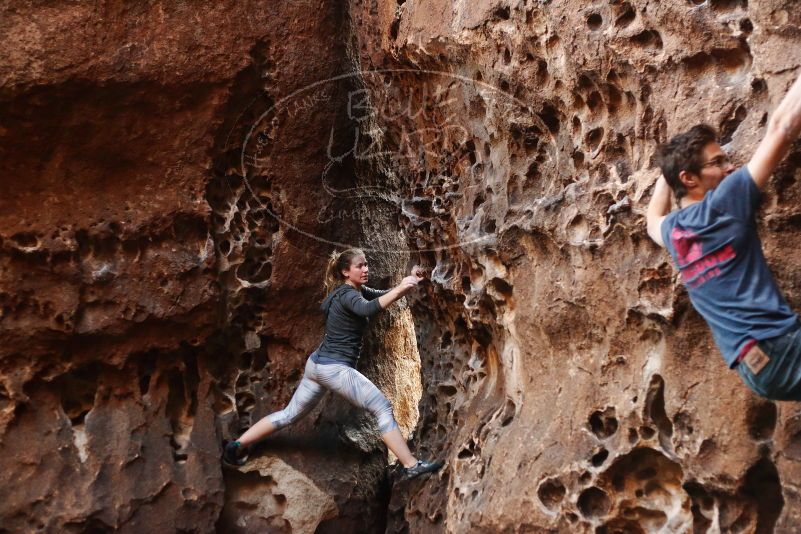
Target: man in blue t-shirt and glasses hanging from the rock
[[713, 240]]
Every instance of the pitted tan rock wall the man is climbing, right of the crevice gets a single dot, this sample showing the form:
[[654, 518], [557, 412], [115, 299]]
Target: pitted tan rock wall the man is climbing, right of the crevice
[[567, 379]]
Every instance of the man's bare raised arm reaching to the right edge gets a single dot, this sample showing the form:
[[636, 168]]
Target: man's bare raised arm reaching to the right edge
[[783, 128]]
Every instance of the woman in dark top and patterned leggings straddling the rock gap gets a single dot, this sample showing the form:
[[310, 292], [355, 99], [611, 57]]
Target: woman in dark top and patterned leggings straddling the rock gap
[[348, 306]]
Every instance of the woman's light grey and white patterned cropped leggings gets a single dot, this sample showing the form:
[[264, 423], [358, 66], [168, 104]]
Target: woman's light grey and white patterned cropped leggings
[[340, 379]]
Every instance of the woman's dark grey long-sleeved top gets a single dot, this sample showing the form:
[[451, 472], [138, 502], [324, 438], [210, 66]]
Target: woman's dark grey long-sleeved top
[[348, 313]]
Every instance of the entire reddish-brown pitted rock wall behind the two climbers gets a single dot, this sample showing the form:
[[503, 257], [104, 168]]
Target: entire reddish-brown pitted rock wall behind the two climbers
[[174, 175]]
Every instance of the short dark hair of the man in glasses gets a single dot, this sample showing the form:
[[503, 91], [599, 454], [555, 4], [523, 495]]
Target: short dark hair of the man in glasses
[[683, 153]]
